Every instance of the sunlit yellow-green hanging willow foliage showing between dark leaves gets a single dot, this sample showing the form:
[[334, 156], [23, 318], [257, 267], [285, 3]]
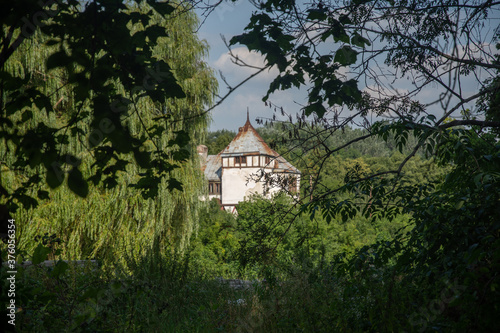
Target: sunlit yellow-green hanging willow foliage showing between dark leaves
[[112, 221]]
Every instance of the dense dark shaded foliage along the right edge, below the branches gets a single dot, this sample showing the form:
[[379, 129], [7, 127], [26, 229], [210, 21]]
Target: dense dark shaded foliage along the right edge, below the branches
[[459, 227]]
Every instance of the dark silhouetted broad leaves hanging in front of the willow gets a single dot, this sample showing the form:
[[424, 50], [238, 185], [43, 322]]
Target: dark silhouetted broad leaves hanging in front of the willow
[[91, 81]]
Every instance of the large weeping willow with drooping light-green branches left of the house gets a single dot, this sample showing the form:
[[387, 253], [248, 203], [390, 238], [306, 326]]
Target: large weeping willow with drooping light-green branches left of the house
[[102, 106]]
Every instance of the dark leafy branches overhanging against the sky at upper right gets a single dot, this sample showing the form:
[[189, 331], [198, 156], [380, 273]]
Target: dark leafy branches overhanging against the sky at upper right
[[332, 48]]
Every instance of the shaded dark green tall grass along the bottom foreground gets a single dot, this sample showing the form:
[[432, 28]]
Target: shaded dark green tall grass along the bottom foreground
[[165, 293]]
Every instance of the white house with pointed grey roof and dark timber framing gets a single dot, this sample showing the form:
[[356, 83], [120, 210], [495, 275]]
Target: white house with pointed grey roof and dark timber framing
[[247, 166]]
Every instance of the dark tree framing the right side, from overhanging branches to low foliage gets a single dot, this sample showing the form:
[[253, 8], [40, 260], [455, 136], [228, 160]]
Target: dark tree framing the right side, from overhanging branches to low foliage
[[359, 59]]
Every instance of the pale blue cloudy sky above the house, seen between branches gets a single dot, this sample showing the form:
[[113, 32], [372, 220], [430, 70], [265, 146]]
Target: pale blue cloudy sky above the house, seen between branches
[[229, 19]]
